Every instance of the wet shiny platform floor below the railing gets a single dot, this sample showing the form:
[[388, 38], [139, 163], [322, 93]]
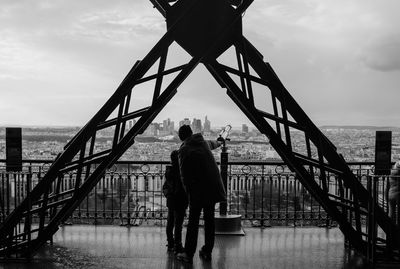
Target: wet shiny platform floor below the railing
[[81, 246]]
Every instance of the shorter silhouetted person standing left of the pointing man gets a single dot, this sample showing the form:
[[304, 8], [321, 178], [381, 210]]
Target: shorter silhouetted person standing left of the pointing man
[[177, 203]]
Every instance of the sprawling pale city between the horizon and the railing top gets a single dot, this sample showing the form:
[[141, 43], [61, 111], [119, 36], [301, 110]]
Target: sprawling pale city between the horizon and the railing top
[[355, 144]]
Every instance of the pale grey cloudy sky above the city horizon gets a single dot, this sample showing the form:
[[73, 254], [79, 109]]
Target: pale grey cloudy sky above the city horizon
[[60, 60]]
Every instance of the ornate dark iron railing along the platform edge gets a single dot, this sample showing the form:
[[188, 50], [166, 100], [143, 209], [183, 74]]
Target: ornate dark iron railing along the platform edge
[[264, 193]]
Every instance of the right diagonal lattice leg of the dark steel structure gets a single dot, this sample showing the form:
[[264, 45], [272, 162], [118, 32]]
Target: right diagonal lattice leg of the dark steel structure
[[326, 162]]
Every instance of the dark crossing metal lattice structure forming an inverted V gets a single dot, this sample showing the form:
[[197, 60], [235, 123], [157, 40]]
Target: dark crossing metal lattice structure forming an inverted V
[[205, 29]]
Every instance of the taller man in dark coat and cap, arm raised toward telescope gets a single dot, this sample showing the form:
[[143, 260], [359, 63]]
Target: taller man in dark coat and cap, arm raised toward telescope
[[202, 181]]
